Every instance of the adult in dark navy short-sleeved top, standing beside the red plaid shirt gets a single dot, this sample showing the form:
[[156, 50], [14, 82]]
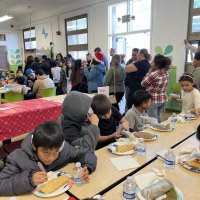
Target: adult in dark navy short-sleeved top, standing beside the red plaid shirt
[[136, 71]]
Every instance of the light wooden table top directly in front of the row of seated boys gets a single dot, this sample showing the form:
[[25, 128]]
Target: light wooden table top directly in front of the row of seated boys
[[106, 174]]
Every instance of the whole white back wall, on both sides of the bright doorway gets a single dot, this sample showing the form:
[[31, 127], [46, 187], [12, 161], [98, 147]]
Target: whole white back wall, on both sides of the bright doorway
[[169, 26]]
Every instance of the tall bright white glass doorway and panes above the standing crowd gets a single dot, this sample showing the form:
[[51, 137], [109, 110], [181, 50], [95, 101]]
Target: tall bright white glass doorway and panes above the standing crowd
[[135, 29]]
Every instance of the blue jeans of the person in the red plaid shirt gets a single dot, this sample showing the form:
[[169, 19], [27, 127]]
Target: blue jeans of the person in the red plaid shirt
[[155, 110]]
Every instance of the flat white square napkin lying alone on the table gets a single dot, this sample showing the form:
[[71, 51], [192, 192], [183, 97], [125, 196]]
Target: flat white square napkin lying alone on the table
[[124, 162]]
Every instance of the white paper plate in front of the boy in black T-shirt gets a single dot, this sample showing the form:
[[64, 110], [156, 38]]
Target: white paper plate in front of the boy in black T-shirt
[[112, 148]]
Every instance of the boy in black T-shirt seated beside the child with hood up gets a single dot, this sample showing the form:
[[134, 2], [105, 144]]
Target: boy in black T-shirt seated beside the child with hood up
[[109, 117]]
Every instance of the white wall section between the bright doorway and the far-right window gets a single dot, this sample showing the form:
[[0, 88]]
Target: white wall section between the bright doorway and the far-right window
[[169, 26]]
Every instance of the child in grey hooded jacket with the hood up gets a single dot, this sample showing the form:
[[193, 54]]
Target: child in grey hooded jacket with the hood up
[[79, 126]]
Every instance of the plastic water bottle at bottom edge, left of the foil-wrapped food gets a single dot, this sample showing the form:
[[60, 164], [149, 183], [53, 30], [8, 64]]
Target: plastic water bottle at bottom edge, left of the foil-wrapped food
[[129, 189]]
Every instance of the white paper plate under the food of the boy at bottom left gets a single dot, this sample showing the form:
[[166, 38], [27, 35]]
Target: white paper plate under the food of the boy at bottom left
[[59, 191]]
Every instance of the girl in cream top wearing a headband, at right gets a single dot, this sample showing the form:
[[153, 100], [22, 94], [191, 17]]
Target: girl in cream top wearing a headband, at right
[[190, 96]]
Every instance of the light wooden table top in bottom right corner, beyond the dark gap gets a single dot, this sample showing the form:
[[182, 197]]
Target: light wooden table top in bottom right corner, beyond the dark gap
[[188, 182]]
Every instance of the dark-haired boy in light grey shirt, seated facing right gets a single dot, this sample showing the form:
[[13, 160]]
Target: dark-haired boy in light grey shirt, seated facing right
[[137, 115]]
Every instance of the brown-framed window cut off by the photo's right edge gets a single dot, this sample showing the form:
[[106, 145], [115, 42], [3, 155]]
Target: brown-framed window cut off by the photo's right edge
[[194, 27]]
